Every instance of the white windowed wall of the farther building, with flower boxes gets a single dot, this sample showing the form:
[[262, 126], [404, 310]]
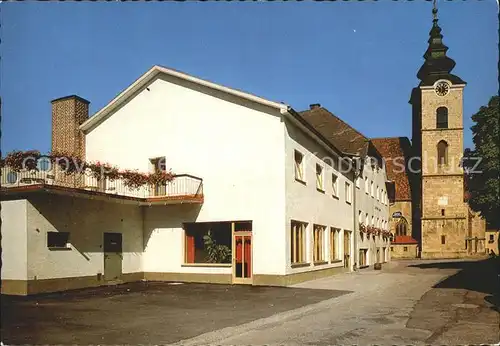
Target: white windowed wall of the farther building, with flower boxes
[[374, 208]]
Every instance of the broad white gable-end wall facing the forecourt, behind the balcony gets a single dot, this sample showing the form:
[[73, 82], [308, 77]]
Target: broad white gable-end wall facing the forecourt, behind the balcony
[[238, 149]]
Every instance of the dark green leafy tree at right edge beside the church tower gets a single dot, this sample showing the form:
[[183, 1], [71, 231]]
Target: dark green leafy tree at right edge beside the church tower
[[482, 165]]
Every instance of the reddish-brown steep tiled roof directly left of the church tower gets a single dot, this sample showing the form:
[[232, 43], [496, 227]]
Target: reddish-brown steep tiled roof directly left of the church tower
[[392, 149]]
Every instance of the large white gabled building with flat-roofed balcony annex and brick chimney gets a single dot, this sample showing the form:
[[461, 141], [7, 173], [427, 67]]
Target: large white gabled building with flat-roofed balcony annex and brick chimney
[[270, 187]]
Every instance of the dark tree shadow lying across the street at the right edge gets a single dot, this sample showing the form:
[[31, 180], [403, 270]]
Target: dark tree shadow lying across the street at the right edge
[[479, 276]]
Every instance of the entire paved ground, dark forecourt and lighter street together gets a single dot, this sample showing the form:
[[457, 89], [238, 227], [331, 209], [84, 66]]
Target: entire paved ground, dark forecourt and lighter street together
[[411, 302]]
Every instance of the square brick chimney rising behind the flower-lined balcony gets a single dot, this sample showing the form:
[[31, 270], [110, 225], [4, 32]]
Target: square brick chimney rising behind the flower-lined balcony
[[68, 113]]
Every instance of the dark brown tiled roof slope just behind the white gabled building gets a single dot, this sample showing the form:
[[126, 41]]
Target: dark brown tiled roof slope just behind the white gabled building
[[338, 132]]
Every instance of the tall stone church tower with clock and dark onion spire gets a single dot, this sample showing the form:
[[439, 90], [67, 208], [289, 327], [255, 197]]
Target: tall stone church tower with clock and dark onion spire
[[437, 108]]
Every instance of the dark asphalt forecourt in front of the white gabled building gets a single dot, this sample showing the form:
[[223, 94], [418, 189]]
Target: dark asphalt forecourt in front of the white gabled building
[[143, 313]]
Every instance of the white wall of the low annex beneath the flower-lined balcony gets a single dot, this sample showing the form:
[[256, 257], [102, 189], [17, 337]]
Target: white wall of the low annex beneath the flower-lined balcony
[[86, 221]]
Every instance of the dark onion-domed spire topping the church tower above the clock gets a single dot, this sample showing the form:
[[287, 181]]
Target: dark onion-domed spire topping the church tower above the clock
[[437, 65]]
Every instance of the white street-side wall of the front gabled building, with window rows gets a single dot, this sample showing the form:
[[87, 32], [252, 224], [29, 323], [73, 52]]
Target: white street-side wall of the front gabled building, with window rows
[[306, 204]]
